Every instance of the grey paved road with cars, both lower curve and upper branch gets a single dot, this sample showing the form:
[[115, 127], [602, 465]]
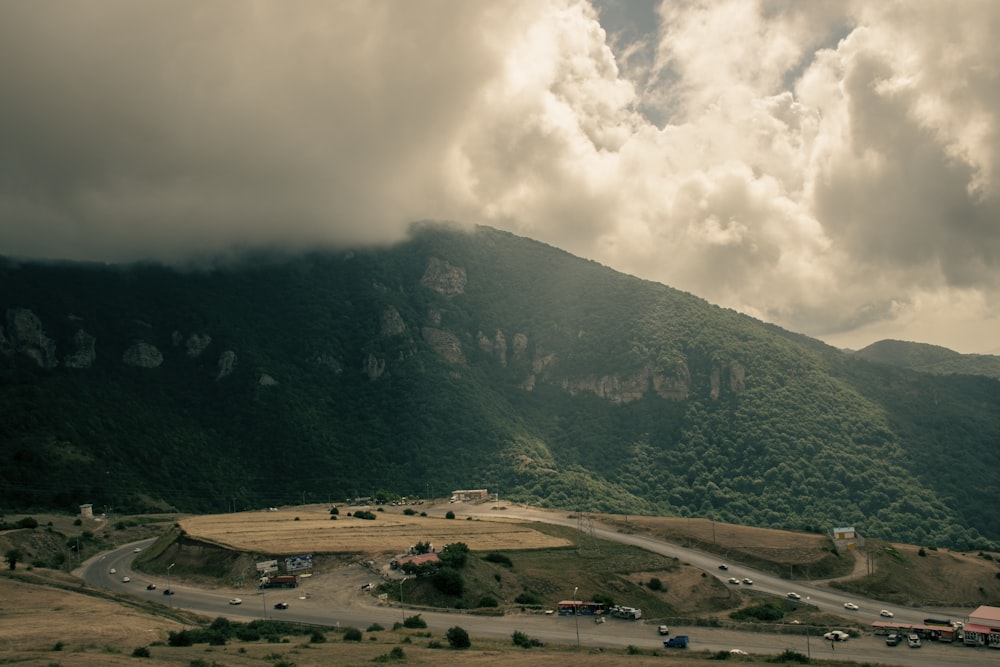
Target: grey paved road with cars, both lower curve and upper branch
[[347, 605]]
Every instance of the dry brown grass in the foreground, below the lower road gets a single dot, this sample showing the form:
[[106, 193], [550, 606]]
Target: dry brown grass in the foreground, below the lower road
[[47, 619]]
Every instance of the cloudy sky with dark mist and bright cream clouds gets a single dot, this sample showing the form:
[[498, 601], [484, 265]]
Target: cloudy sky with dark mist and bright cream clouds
[[829, 166]]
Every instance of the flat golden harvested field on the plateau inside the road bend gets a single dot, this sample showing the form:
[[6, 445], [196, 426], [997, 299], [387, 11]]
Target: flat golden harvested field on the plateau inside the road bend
[[308, 529]]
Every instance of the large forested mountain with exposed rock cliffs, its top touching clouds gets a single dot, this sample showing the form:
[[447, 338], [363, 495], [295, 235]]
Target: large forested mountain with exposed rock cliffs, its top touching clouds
[[456, 361]]
